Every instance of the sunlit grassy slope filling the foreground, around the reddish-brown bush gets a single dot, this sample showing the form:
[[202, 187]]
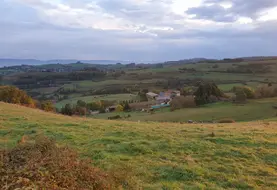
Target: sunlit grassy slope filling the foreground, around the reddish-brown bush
[[160, 155]]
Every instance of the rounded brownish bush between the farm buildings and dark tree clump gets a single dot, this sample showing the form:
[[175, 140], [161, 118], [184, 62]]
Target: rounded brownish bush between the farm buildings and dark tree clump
[[182, 102]]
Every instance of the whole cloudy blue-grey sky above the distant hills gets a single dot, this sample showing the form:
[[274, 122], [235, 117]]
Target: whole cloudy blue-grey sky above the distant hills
[[137, 29]]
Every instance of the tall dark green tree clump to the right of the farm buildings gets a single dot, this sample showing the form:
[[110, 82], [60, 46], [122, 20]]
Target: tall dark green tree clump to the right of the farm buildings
[[204, 91]]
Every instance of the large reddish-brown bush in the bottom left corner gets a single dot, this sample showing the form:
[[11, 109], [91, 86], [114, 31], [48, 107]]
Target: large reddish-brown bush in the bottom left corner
[[43, 165]]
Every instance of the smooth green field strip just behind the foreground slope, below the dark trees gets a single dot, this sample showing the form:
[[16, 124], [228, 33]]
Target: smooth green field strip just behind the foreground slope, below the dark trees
[[253, 110]]
